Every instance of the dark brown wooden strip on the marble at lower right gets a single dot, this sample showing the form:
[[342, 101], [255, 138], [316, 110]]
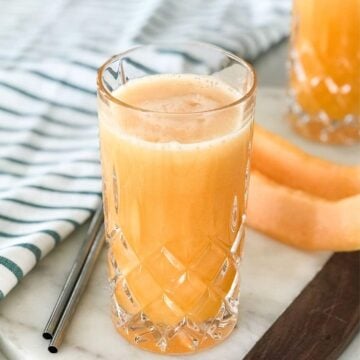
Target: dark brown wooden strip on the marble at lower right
[[323, 318]]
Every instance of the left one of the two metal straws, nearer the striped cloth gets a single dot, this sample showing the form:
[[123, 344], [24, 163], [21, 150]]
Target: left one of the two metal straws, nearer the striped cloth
[[75, 273]]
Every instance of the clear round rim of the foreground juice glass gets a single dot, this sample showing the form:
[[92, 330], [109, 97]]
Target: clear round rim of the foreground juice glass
[[101, 88]]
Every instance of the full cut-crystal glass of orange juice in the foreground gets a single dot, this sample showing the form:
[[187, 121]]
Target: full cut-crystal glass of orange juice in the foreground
[[175, 145]]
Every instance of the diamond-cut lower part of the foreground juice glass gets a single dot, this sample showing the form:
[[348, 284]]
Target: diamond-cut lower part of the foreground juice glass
[[182, 295]]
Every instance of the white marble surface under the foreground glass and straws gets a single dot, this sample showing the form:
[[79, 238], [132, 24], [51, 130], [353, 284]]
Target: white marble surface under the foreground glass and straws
[[273, 274]]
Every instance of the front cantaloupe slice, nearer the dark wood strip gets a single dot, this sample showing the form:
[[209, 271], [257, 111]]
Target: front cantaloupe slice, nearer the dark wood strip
[[303, 220]]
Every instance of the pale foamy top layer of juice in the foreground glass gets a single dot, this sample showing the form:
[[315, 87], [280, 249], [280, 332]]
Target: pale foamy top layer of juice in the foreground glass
[[177, 109]]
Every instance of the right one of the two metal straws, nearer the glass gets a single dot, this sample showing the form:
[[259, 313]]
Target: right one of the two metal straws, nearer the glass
[[78, 290]]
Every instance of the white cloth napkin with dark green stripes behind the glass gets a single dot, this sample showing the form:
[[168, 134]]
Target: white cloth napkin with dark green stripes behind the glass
[[49, 51]]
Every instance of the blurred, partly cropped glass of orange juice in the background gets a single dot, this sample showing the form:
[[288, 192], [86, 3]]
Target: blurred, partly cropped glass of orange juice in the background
[[325, 70]]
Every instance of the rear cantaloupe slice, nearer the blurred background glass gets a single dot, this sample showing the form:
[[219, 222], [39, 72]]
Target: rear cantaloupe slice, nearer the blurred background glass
[[286, 164]]
